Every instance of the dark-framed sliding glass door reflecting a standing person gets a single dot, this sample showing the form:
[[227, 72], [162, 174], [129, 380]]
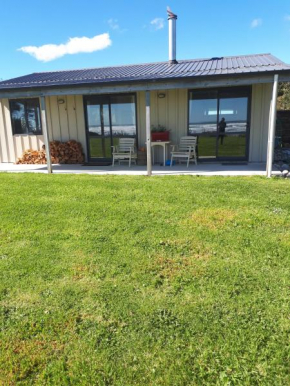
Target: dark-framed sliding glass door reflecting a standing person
[[220, 120]]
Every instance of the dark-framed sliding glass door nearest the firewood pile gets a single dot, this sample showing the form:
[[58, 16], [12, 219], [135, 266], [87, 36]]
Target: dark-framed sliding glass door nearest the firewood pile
[[108, 118]]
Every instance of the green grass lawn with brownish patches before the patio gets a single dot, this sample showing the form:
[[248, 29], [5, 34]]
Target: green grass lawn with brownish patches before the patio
[[111, 280]]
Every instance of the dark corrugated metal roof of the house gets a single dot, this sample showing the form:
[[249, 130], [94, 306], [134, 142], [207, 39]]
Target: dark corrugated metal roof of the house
[[233, 65]]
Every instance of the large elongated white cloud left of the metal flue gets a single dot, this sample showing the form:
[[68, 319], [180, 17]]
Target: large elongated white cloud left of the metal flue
[[76, 45]]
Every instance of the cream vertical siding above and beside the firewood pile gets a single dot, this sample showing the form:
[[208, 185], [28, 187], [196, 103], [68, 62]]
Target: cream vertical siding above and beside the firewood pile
[[65, 121]]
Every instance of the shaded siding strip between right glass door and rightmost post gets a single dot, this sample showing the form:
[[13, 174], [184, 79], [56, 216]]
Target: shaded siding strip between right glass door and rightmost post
[[261, 101]]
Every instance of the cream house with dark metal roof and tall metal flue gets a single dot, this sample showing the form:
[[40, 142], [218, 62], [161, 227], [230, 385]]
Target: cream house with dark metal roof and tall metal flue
[[189, 97]]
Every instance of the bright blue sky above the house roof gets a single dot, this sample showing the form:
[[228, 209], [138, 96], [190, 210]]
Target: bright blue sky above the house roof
[[136, 31]]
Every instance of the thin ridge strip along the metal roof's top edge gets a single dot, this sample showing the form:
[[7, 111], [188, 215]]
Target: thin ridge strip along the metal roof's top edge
[[153, 63]]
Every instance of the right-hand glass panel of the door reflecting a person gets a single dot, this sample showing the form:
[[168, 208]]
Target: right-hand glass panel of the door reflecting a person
[[232, 127]]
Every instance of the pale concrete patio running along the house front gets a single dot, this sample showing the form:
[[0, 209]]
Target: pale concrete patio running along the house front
[[205, 169]]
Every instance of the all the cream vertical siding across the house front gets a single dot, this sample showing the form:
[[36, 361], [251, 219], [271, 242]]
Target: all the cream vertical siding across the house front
[[66, 121]]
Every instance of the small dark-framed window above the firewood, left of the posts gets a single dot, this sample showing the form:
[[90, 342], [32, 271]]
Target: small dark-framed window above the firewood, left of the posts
[[25, 116]]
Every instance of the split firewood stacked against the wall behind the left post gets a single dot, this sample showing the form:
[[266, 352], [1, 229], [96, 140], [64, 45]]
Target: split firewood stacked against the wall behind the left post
[[70, 152]]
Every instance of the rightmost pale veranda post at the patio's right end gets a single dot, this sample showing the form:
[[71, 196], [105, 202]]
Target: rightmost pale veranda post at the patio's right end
[[272, 127]]
